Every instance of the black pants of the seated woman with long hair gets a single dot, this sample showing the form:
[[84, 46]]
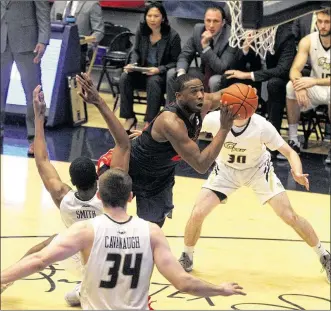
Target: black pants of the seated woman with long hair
[[155, 88]]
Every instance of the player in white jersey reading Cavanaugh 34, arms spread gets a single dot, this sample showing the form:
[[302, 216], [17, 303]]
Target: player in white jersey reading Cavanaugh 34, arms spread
[[118, 252]]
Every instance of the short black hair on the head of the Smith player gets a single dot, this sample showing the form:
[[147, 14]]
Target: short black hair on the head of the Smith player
[[83, 173]]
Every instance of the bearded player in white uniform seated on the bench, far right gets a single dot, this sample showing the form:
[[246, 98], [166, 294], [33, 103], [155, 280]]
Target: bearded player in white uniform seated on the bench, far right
[[304, 93]]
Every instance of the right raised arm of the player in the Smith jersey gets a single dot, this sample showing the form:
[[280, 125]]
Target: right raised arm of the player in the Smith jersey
[[121, 152]]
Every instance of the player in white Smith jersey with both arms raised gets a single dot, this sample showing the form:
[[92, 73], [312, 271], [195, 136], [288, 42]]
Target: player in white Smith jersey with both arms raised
[[84, 203]]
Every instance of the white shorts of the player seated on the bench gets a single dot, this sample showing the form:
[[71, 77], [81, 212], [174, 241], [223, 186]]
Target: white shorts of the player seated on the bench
[[318, 95]]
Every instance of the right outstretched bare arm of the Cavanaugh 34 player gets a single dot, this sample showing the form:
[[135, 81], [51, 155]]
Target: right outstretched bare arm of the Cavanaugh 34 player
[[171, 269]]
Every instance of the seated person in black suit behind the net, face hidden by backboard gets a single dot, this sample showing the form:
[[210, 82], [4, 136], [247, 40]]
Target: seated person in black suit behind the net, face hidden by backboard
[[275, 72]]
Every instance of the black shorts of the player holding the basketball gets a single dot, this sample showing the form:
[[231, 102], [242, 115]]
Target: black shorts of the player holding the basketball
[[156, 207]]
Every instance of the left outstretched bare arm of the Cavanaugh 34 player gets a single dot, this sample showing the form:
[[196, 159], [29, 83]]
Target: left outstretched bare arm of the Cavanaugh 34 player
[[78, 237]]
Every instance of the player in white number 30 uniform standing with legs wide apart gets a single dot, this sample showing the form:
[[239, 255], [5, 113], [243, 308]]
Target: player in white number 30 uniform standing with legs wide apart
[[245, 161]]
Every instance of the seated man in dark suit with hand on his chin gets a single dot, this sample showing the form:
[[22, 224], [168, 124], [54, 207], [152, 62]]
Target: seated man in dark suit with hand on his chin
[[211, 41]]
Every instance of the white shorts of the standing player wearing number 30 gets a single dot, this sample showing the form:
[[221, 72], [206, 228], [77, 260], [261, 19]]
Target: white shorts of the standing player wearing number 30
[[262, 180]]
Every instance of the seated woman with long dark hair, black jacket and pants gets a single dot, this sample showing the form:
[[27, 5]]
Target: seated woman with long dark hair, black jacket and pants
[[157, 46]]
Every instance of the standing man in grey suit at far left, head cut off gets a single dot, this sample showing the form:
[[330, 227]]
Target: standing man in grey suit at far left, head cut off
[[25, 33]]
